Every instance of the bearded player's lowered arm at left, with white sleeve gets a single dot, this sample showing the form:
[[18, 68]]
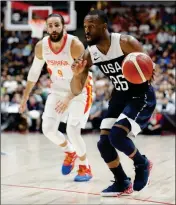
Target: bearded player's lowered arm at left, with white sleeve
[[33, 75]]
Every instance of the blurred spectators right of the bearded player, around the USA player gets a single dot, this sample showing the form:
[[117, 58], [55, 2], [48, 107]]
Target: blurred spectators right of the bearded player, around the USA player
[[155, 28]]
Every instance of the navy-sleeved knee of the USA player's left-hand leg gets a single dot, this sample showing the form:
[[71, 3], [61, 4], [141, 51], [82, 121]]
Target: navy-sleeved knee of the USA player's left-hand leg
[[108, 153]]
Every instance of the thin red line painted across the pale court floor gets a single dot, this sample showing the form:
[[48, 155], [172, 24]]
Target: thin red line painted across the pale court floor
[[80, 192]]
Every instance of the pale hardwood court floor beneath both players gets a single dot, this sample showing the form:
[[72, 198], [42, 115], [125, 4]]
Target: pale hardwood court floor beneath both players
[[30, 172]]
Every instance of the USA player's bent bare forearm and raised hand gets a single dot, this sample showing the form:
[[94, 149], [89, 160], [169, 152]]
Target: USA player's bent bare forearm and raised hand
[[80, 69]]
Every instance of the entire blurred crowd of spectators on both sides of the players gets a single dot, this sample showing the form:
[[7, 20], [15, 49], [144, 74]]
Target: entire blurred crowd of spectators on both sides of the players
[[154, 27]]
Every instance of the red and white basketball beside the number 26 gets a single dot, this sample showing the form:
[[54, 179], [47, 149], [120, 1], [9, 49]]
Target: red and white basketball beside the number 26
[[137, 67]]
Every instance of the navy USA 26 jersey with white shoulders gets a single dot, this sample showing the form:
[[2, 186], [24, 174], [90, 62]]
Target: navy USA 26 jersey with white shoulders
[[110, 65]]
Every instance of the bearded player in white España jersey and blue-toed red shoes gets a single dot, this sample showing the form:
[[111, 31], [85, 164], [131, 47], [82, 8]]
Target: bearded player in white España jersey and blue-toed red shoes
[[59, 50]]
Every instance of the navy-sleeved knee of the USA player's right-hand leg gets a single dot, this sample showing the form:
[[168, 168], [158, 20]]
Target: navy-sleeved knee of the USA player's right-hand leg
[[119, 132]]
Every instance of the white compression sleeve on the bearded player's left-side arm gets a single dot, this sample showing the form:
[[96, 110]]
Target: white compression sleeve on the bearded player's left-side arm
[[35, 70]]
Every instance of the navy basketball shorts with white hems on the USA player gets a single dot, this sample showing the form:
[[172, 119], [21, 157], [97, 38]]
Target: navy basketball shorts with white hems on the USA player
[[137, 109]]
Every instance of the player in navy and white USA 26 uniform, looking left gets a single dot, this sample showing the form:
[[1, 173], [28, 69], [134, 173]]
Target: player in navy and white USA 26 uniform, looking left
[[130, 106]]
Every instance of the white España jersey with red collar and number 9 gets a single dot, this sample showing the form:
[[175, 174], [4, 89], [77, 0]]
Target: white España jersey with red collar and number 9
[[59, 64]]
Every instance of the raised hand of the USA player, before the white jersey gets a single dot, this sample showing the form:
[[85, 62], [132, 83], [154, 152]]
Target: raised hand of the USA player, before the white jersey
[[78, 66]]
